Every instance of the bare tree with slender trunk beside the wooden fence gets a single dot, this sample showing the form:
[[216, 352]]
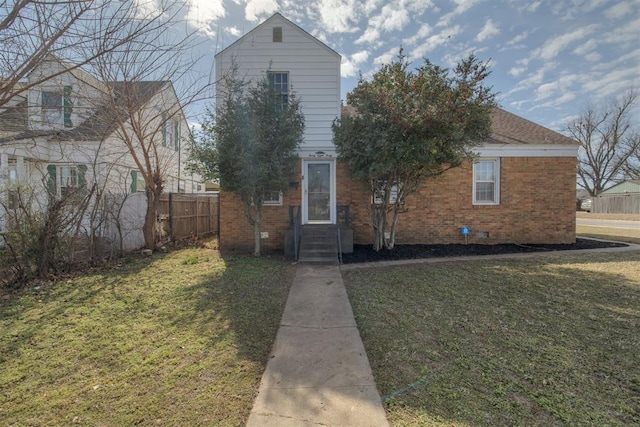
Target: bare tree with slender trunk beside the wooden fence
[[150, 80]]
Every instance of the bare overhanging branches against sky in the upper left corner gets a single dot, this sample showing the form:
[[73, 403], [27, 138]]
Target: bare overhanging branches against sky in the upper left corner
[[78, 31]]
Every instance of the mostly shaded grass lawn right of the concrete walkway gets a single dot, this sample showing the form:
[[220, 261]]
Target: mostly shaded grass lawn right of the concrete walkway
[[532, 342]]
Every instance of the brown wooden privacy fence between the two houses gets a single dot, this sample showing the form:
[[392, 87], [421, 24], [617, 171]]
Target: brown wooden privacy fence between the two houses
[[189, 215]]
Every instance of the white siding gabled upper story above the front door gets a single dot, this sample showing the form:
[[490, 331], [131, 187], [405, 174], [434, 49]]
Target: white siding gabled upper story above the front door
[[313, 69]]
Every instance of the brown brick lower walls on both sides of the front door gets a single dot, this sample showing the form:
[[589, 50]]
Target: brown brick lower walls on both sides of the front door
[[537, 205]]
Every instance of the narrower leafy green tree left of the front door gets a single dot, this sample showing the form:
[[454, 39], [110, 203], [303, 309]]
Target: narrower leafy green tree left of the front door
[[250, 144]]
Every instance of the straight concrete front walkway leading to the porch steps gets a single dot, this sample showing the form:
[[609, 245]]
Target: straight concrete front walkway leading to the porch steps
[[318, 373]]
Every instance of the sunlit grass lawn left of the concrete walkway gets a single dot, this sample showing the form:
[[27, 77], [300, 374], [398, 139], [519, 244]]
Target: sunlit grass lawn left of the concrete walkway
[[174, 339]]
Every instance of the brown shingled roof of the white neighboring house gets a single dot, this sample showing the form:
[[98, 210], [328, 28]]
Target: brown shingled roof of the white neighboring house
[[99, 125]]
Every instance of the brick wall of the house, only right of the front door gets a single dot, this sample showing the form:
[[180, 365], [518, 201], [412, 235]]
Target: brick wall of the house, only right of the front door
[[537, 205]]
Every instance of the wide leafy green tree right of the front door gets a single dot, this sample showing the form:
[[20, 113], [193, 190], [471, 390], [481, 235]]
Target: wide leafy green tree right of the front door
[[405, 127]]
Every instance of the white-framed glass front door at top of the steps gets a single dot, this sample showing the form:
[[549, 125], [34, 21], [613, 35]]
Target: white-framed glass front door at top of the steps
[[318, 199]]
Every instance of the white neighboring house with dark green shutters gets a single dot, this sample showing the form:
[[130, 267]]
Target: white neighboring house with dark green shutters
[[63, 135]]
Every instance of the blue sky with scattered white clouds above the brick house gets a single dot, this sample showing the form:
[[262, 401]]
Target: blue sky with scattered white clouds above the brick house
[[550, 59]]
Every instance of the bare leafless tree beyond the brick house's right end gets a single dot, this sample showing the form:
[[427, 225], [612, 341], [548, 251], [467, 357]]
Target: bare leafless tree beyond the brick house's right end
[[608, 143]]
